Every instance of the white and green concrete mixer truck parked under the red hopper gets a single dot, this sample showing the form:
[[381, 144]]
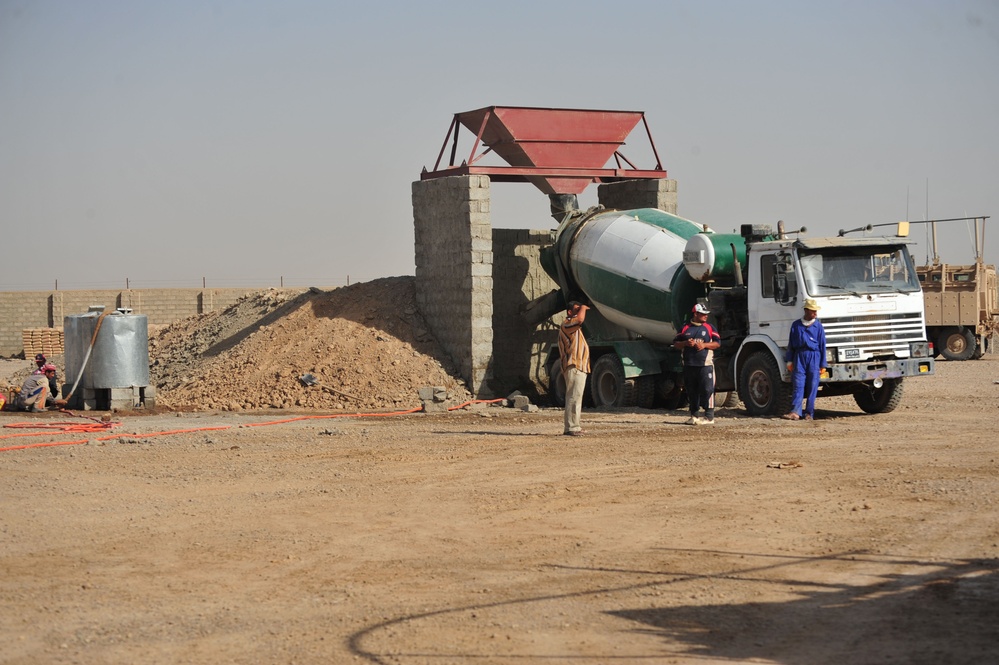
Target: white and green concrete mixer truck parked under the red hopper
[[643, 270]]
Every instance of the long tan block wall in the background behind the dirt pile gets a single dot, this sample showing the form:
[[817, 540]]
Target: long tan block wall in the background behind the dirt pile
[[23, 310]]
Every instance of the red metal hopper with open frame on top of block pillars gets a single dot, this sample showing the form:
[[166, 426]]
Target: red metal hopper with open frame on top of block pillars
[[561, 151]]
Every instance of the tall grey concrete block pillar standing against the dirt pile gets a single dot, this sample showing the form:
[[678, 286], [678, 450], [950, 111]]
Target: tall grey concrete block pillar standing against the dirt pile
[[454, 271]]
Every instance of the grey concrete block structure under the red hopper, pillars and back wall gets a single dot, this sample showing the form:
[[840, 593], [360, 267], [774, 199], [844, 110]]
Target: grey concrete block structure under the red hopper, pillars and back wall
[[472, 280]]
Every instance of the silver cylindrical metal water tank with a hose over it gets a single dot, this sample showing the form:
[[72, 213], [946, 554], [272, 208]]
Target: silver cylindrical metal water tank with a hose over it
[[115, 363]]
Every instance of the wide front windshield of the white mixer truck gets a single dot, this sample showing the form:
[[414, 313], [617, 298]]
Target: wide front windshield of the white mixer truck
[[857, 270]]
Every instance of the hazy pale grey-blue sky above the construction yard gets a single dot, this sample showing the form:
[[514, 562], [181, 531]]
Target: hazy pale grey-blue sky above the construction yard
[[242, 142]]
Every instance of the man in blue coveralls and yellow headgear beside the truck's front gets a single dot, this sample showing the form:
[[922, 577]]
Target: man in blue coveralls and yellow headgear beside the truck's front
[[806, 358]]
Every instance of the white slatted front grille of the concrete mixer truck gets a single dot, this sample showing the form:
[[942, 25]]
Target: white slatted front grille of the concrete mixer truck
[[876, 335]]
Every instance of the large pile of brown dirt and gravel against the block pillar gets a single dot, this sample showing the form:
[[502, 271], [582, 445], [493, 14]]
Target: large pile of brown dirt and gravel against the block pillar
[[366, 345]]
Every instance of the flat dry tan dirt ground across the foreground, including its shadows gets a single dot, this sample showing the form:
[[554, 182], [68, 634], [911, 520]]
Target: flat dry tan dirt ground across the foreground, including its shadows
[[482, 536]]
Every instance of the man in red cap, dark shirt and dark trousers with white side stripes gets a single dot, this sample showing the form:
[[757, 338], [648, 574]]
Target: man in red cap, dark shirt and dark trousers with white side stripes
[[698, 340]]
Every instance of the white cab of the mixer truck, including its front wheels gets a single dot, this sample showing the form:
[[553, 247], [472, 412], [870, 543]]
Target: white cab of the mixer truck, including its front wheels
[[872, 312]]
